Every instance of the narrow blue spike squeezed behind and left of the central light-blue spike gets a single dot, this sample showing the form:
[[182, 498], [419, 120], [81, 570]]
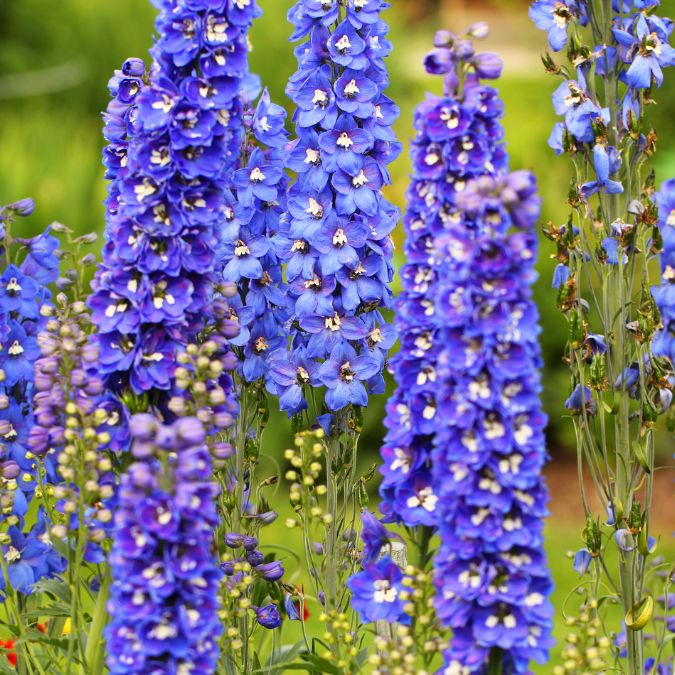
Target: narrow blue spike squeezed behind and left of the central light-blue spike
[[248, 257]]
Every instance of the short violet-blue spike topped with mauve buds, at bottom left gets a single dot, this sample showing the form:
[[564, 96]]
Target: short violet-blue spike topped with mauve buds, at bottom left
[[163, 600]]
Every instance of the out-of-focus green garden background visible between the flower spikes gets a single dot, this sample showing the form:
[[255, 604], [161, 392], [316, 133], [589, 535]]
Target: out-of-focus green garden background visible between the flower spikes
[[55, 61]]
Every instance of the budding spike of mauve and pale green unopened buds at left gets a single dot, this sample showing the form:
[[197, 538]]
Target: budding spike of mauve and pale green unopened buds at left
[[78, 429]]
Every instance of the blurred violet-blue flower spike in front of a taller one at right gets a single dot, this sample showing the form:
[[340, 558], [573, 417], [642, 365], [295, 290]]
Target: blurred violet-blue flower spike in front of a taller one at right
[[491, 572]]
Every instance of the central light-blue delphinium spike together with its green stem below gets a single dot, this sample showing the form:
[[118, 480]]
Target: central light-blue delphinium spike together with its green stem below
[[337, 245]]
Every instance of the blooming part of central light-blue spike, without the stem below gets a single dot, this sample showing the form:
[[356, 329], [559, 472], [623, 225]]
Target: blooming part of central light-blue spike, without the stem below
[[336, 240]]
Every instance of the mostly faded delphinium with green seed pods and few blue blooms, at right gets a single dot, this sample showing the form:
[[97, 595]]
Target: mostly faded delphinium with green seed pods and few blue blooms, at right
[[620, 382]]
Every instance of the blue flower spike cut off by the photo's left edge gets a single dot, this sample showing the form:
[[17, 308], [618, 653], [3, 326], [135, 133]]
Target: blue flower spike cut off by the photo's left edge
[[24, 295]]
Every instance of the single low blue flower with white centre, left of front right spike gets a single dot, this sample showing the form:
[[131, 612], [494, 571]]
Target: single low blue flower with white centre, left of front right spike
[[376, 592]]
